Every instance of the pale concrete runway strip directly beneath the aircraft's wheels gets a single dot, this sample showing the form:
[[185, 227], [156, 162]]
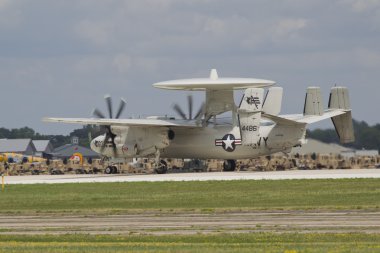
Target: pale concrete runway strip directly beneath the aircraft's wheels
[[243, 175]]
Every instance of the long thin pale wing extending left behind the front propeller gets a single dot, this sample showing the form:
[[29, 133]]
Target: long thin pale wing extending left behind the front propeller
[[127, 122]]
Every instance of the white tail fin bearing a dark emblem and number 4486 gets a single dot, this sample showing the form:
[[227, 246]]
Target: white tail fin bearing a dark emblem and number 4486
[[250, 115]]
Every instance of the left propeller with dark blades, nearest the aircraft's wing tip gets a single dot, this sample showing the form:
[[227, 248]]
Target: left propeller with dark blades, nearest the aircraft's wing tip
[[109, 136]]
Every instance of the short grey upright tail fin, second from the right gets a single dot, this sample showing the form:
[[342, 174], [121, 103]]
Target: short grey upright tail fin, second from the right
[[313, 102]]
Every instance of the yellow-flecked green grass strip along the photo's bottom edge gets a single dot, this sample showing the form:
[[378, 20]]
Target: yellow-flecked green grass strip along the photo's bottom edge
[[256, 242]]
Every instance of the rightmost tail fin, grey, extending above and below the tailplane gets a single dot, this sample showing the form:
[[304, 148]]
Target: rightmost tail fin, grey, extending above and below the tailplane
[[339, 99]]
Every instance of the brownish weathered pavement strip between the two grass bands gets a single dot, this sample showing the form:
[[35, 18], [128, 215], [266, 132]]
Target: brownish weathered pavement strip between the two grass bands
[[188, 223]]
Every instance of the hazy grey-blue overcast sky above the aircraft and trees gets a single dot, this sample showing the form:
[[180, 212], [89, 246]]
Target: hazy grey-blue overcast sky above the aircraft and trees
[[59, 58]]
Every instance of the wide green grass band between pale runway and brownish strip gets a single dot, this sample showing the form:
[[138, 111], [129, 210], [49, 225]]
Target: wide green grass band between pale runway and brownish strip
[[210, 196]]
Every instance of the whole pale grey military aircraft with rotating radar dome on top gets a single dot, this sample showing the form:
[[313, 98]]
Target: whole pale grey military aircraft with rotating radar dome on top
[[255, 128]]
